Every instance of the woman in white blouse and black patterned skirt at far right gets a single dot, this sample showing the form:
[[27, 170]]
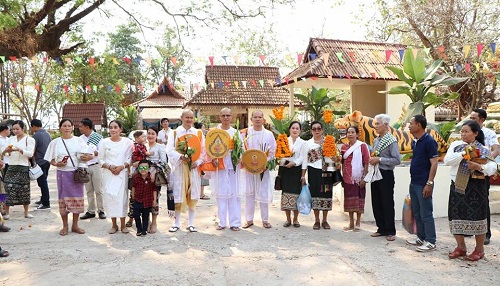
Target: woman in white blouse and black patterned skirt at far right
[[468, 201]]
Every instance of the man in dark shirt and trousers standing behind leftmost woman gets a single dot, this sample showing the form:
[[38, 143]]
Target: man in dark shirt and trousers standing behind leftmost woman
[[42, 139]]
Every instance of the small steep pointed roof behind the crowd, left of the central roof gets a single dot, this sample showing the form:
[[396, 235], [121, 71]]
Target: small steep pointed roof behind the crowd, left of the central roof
[[165, 95]]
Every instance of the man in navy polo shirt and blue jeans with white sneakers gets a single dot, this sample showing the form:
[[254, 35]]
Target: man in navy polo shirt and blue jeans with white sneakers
[[423, 169]]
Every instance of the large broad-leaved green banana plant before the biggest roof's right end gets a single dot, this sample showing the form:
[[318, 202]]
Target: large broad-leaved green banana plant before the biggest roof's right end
[[420, 82]]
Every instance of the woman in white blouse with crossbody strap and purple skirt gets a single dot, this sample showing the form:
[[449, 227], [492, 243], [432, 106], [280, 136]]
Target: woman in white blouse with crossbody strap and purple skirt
[[66, 153]]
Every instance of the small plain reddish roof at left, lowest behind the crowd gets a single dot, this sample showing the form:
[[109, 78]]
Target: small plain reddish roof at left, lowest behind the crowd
[[77, 111]]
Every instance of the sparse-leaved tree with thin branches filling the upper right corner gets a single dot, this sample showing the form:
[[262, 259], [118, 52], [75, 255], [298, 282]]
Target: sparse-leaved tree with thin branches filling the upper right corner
[[447, 28]]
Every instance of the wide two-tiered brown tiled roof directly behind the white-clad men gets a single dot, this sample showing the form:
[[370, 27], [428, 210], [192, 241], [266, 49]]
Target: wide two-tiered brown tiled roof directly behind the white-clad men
[[241, 85]]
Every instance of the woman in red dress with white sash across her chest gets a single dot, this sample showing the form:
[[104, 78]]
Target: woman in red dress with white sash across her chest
[[355, 158]]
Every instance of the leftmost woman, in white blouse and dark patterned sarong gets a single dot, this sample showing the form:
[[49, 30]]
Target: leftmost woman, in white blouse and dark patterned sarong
[[17, 181]]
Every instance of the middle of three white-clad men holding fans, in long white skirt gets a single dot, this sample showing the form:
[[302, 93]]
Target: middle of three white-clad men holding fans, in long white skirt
[[226, 182]]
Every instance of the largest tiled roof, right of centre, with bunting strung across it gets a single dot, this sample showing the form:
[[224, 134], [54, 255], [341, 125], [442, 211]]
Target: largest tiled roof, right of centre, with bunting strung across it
[[361, 60]]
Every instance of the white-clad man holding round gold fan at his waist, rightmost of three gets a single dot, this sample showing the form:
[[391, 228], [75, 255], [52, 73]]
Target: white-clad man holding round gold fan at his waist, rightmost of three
[[259, 188]]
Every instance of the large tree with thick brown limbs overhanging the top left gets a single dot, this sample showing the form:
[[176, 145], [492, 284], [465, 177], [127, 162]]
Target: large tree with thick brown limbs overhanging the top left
[[32, 26]]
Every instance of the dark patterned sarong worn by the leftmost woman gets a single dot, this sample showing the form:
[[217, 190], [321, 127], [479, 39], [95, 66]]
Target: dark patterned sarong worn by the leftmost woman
[[17, 185]]
